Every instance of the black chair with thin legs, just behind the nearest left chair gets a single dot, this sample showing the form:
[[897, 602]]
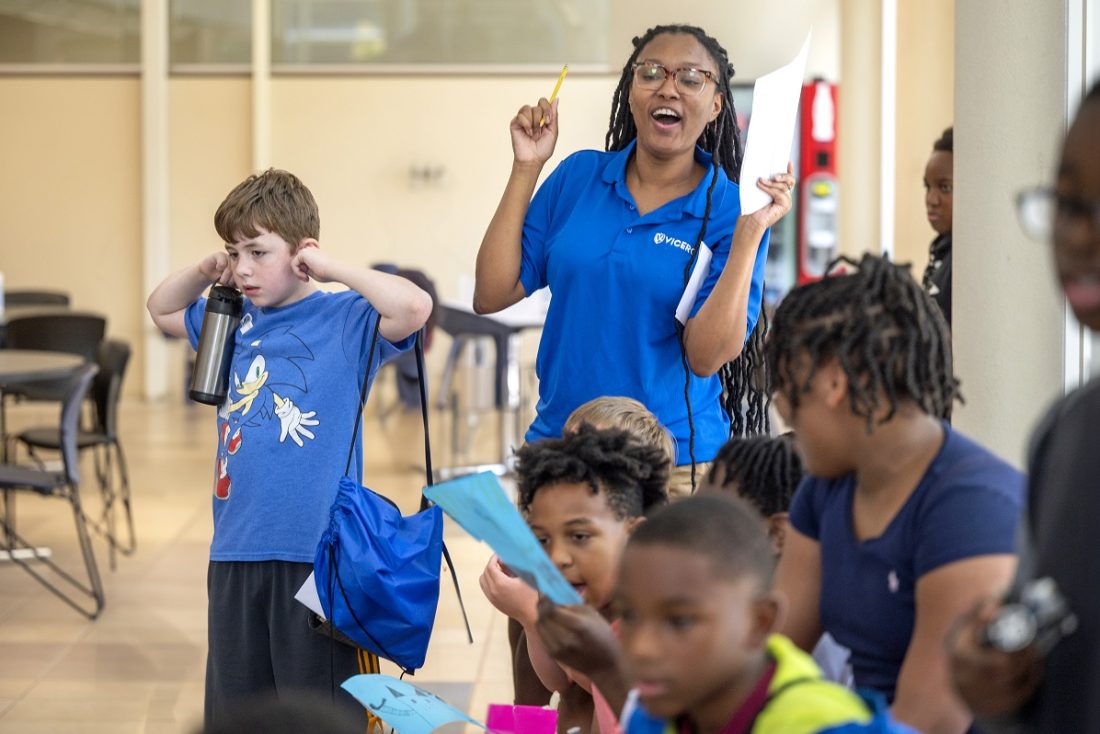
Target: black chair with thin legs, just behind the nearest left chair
[[103, 439]]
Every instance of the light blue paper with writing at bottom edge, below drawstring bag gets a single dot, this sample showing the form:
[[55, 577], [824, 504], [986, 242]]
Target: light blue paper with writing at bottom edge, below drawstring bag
[[404, 707]]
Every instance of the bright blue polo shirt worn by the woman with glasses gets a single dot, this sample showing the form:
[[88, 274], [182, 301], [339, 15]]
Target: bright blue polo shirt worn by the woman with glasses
[[617, 278]]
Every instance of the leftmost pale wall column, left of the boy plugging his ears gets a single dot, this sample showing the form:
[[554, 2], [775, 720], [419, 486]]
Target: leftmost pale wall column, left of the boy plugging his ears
[[155, 126]]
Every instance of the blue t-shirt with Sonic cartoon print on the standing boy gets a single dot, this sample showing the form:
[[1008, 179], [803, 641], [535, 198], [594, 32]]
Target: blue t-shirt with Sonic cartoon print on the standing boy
[[284, 431]]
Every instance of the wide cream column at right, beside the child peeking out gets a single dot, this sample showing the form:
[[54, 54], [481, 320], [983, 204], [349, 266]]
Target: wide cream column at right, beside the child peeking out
[[1008, 315]]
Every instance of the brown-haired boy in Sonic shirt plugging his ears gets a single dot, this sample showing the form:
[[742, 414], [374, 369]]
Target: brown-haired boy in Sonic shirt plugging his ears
[[300, 361]]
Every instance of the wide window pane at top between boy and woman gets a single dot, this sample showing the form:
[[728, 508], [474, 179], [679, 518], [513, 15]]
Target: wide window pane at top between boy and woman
[[439, 31]]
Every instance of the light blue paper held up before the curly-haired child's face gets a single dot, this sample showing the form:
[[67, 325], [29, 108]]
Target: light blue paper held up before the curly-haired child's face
[[479, 505]]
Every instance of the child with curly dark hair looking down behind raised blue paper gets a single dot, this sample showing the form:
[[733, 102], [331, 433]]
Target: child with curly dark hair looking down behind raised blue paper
[[582, 496]]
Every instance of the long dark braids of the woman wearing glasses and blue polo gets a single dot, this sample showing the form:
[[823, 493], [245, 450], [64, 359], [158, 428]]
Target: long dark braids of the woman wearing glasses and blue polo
[[722, 139]]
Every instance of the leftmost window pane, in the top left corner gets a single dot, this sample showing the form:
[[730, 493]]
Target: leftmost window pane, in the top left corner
[[70, 32]]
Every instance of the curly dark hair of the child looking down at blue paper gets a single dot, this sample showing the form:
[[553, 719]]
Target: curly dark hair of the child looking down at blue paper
[[633, 476]]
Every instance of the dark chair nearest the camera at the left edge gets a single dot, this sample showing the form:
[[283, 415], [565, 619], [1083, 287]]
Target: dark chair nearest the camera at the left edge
[[65, 486]]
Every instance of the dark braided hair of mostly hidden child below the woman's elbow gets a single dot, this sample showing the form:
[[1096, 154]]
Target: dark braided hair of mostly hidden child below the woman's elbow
[[766, 469]]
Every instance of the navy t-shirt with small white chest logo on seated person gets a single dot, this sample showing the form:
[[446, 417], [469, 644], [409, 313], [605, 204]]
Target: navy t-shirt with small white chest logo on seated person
[[967, 505]]
